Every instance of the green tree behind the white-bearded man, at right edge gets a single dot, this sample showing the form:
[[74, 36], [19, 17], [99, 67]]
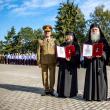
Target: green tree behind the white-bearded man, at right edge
[[102, 17]]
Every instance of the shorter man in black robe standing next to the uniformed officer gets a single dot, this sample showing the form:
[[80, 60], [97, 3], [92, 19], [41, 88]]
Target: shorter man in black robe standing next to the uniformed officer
[[67, 76]]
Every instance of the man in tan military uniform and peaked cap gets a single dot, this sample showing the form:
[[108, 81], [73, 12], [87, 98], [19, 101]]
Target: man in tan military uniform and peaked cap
[[46, 59]]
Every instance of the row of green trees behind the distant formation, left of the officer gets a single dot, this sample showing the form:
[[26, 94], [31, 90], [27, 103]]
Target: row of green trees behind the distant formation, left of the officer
[[24, 41]]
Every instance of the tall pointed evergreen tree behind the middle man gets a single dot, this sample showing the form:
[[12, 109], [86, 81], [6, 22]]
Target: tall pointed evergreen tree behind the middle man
[[69, 18]]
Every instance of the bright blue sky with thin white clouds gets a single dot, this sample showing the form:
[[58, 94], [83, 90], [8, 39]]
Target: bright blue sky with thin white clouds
[[36, 13]]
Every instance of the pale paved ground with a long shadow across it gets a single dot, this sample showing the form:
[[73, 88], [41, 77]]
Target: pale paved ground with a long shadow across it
[[21, 88]]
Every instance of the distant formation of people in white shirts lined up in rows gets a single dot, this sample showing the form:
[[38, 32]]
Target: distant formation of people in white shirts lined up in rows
[[19, 58]]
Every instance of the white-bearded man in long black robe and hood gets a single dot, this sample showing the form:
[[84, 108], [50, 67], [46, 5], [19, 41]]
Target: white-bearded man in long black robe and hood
[[96, 86]]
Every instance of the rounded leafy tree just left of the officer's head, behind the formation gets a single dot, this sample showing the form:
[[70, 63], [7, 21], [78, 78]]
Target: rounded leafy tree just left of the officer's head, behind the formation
[[28, 39]]
